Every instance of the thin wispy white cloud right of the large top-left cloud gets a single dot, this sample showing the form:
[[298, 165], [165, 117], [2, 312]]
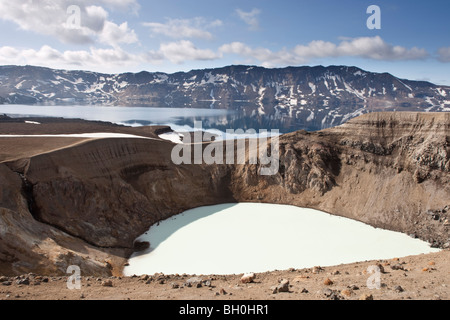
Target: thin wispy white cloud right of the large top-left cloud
[[183, 28]]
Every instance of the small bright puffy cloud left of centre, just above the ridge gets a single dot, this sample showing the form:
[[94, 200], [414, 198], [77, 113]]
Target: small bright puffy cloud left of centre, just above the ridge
[[181, 51]]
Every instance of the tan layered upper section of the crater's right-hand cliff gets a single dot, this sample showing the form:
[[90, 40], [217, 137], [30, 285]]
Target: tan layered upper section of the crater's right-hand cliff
[[419, 142]]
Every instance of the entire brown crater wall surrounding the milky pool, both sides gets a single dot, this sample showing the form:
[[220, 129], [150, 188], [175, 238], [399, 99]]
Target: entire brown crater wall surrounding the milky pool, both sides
[[84, 201]]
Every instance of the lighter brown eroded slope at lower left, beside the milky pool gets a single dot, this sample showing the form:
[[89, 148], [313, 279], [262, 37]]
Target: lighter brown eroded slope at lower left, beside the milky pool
[[28, 245]]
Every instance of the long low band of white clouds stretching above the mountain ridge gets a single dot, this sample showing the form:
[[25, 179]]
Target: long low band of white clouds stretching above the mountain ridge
[[178, 52]]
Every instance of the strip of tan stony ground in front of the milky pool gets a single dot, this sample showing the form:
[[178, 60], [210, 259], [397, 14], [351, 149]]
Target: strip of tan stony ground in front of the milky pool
[[424, 277]]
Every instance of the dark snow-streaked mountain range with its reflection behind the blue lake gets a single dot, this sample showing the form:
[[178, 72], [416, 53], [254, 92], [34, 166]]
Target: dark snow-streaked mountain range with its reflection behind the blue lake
[[310, 98]]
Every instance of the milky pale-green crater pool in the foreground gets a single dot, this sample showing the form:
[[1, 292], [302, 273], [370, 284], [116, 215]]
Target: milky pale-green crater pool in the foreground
[[239, 238]]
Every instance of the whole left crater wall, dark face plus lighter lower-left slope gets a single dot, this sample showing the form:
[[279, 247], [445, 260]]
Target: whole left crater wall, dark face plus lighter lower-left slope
[[86, 204]]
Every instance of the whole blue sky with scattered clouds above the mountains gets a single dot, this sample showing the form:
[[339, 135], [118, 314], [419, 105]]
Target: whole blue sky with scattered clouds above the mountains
[[179, 35]]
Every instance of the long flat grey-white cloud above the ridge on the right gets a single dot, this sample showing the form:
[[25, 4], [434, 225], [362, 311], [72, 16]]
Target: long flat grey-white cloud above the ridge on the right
[[373, 48]]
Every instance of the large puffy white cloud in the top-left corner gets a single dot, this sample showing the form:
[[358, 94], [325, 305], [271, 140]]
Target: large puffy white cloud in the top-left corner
[[51, 17]]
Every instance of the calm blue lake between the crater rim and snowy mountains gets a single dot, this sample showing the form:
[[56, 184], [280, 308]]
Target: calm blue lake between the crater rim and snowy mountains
[[181, 119]]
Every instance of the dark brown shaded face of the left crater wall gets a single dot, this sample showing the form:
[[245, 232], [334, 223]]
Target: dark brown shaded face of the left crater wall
[[108, 191]]
